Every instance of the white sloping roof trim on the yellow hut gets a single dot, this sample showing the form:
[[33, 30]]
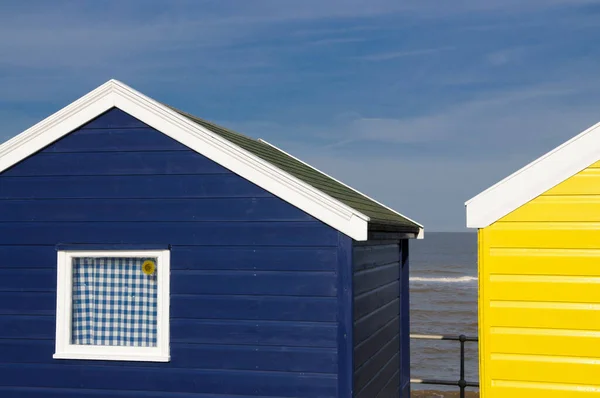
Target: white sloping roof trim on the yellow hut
[[534, 179]]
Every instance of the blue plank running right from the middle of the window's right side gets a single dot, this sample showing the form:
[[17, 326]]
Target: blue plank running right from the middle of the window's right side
[[253, 307]]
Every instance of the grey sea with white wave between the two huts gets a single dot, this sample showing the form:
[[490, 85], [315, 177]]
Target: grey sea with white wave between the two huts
[[443, 300]]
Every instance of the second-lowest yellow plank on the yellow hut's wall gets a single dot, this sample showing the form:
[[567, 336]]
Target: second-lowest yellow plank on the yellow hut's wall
[[544, 369]]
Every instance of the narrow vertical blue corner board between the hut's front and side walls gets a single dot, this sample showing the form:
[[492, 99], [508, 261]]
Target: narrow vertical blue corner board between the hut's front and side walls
[[345, 311]]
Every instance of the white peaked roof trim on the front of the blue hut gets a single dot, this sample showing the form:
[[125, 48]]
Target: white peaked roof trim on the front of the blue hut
[[116, 94]]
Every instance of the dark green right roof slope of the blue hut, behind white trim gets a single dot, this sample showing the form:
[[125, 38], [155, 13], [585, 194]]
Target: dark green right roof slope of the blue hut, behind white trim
[[377, 212]]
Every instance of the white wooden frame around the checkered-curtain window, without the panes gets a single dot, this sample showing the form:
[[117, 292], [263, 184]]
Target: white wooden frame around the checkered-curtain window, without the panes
[[64, 305]]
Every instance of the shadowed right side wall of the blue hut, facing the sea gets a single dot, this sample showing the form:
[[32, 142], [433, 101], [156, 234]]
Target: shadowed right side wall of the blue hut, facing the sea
[[381, 360]]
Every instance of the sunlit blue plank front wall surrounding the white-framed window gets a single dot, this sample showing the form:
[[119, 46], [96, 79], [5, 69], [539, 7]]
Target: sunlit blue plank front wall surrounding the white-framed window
[[254, 281]]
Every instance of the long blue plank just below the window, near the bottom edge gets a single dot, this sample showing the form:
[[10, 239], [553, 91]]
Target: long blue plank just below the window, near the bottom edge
[[164, 379]]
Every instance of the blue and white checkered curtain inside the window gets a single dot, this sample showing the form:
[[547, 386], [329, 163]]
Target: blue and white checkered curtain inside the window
[[114, 302]]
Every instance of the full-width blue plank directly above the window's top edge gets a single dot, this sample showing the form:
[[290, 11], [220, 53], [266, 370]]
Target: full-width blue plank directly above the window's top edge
[[183, 233]]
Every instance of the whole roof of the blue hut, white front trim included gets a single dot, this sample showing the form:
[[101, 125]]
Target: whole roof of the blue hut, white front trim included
[[299, 184]]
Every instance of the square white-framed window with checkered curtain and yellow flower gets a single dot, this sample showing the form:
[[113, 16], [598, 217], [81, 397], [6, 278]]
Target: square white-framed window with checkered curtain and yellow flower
[[113, 305]]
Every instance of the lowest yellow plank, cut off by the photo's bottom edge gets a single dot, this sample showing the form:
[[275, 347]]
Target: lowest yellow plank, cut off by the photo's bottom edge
[[520, 389]]
